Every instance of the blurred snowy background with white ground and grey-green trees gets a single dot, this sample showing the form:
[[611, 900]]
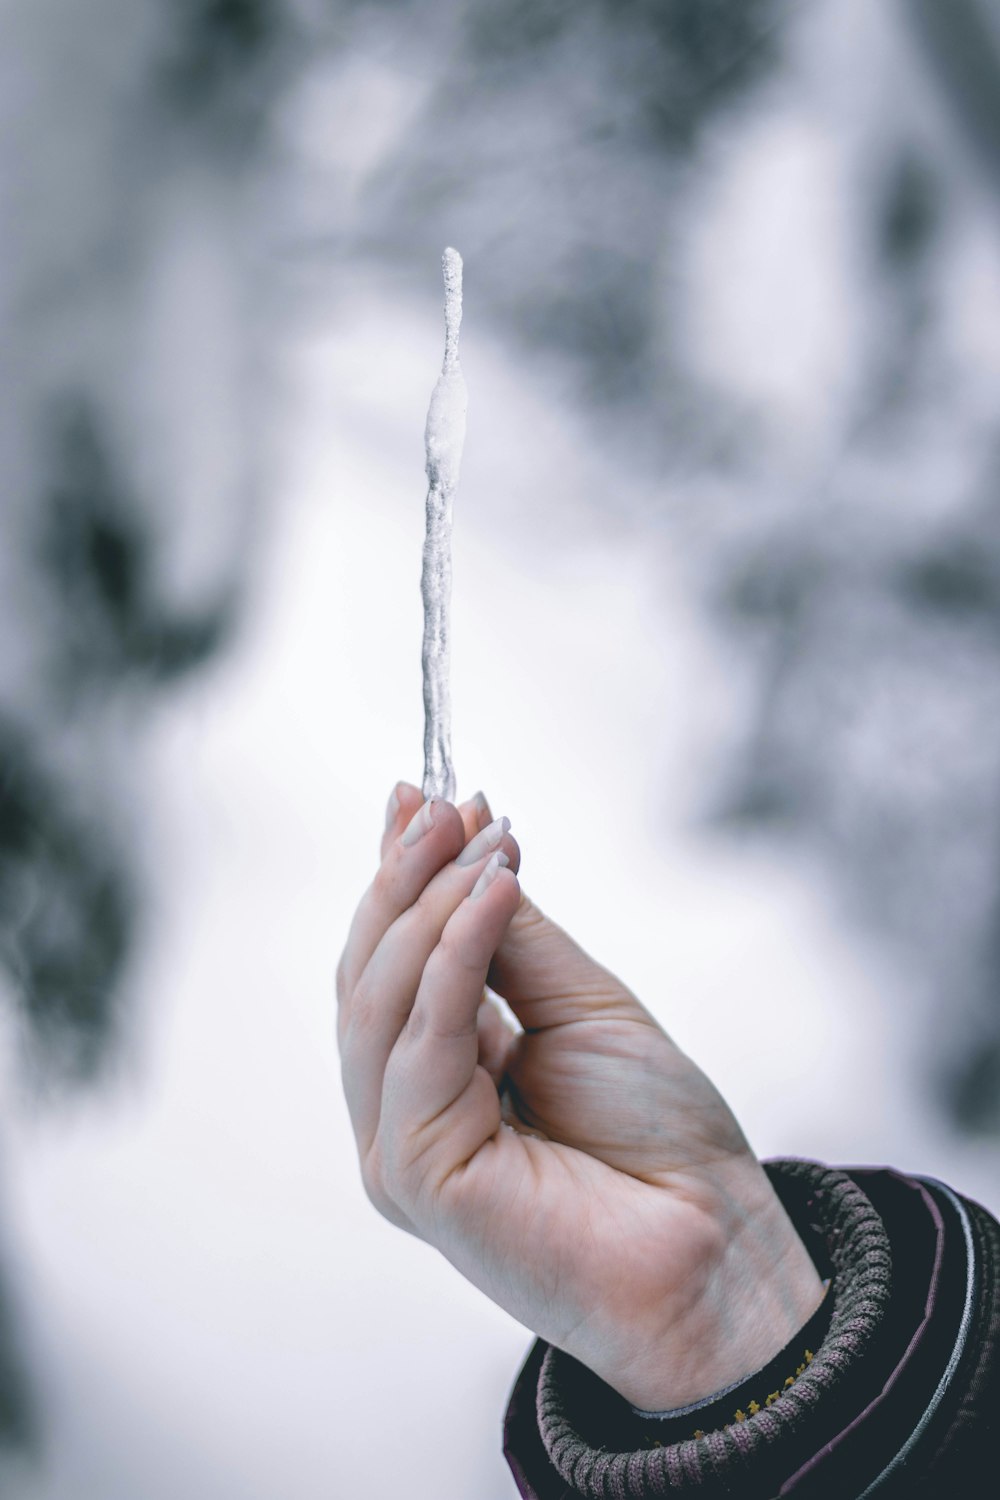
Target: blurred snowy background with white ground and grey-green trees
[[726, 628]]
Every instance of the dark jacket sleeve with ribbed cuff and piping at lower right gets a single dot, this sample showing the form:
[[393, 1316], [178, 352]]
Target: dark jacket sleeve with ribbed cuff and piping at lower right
[[900, 1397]]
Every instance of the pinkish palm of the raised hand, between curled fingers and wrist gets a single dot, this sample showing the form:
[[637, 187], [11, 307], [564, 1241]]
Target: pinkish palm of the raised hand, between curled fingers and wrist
[[600, 1196]]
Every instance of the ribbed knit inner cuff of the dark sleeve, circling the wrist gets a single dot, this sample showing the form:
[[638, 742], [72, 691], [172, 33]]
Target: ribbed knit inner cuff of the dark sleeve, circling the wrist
[[600, 1447]]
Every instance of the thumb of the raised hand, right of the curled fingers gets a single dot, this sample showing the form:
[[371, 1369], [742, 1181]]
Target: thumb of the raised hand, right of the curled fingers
[[548, 979]]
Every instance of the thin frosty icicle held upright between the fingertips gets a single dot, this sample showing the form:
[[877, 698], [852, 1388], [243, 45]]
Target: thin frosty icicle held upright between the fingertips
[[445, 437]]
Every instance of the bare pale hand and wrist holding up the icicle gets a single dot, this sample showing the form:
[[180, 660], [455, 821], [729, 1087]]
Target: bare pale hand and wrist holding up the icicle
[[581, 1171]]
